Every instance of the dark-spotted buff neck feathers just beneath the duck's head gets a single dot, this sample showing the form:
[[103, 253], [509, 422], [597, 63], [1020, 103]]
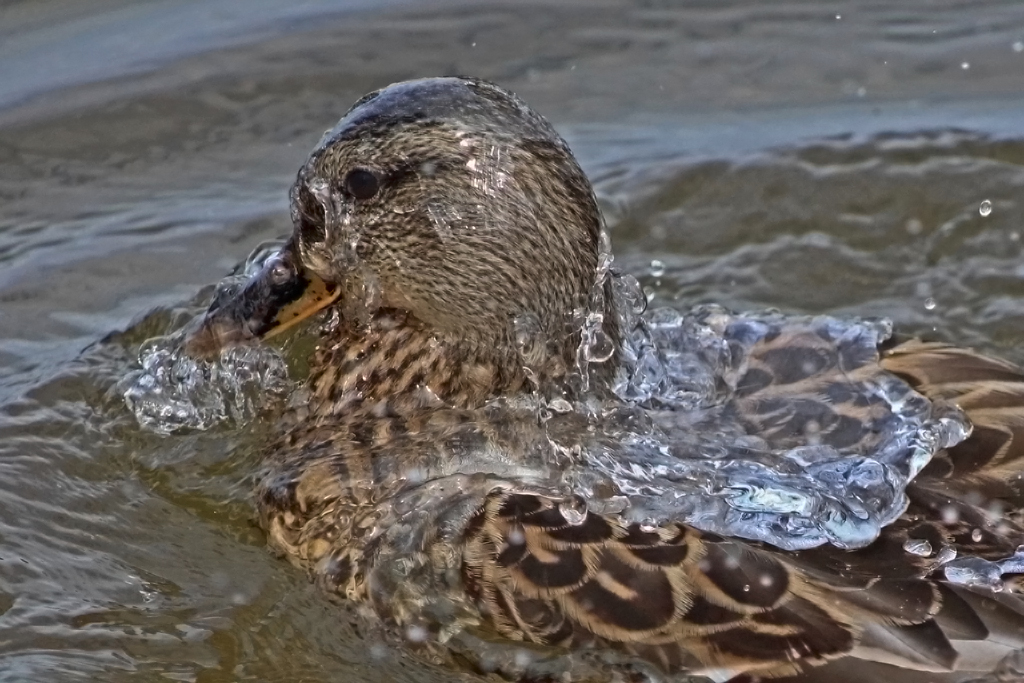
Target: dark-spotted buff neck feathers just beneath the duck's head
[[396, 365]]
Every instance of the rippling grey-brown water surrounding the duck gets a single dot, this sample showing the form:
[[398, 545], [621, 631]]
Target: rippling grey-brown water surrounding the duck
[[859, 157]]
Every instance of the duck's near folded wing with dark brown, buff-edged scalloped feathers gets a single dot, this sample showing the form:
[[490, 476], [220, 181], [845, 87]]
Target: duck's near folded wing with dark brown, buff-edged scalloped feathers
[[693, 603]]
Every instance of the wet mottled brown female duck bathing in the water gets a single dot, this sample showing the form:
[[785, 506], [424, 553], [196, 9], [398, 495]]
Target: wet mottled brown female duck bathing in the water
[[439, 221]]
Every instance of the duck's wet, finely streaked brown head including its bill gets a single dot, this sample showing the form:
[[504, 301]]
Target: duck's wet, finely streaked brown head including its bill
[[445, 200]]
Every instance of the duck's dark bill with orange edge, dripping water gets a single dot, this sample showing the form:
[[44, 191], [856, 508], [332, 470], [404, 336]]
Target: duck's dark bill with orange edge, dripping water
[[281, 295]]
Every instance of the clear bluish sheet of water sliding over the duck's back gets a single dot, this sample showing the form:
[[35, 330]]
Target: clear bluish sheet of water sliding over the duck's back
[[782, 430]]
